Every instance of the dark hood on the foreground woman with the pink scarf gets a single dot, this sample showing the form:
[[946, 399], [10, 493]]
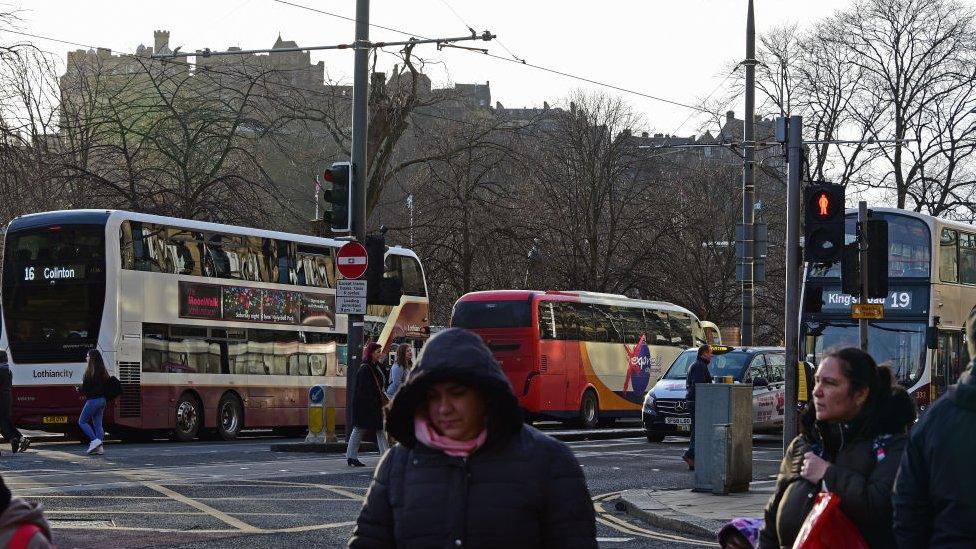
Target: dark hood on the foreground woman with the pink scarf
[[456, 355]]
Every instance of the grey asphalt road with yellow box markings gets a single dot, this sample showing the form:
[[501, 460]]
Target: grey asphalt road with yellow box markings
[[239, 494]]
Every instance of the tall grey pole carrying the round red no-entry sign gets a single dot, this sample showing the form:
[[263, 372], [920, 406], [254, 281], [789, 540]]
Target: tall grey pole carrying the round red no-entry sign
[[360, 83]]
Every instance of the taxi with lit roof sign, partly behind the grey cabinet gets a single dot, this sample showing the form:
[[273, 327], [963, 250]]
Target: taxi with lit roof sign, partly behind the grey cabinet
[[666, 412]]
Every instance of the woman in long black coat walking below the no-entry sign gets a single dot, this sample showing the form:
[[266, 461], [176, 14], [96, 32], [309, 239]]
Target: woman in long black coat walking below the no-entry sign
[[367, 405]]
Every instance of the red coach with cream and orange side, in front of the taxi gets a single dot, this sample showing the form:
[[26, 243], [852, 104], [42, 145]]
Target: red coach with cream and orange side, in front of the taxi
[[581, 357]]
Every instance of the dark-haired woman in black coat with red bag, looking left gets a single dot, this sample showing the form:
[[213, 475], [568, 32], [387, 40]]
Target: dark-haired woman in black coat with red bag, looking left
[[850, 444]]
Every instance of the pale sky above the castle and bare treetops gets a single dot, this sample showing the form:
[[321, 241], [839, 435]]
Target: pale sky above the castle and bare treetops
[[678, 50]]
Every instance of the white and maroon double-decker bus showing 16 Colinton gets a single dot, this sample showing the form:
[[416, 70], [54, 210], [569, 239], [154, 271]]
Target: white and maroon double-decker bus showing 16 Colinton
[[211, 328]]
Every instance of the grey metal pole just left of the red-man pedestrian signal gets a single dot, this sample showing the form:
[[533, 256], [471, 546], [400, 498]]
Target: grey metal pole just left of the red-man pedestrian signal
[[794, 152]]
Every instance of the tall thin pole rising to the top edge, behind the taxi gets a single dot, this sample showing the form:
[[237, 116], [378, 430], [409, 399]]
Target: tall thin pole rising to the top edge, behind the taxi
[[749, 183]]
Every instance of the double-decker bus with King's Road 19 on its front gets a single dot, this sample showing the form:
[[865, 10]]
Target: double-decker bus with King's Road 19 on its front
[[931, 290]]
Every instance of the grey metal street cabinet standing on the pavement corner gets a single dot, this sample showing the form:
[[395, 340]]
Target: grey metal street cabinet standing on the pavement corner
[[723, 437]]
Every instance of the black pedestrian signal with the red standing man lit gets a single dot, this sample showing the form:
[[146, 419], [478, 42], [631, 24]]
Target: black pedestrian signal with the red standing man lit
[[823, 222]]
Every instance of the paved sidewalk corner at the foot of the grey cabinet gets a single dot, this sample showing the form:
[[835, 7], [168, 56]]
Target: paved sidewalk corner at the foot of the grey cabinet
[[697, 513]]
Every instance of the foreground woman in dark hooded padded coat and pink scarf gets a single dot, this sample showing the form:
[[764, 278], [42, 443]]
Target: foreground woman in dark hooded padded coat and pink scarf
[[467, 472]]
